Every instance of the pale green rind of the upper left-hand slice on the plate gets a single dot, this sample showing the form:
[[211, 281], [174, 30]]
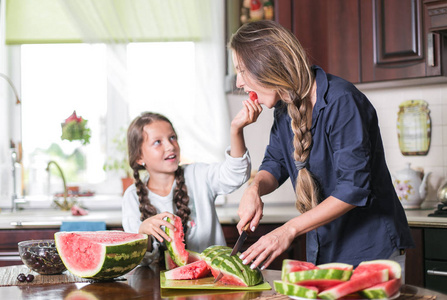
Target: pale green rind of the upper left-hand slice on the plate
[[318, 274]]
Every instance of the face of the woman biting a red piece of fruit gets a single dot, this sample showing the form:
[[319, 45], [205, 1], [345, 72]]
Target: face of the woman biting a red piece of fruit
[[244, 80]]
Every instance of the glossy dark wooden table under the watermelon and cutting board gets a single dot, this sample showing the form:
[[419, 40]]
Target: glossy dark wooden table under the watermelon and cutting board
[[144, 283]]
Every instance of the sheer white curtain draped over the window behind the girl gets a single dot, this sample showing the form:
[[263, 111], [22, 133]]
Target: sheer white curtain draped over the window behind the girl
[[117, 23]]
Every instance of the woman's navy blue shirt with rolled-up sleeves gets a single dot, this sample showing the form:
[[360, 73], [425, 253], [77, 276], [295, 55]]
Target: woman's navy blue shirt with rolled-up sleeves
[[348, 162]]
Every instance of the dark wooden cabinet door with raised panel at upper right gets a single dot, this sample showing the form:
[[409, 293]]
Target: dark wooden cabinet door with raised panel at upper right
[[393, 40]]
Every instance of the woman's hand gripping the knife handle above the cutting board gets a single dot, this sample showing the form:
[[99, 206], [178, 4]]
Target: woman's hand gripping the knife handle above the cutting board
[[250, 208]]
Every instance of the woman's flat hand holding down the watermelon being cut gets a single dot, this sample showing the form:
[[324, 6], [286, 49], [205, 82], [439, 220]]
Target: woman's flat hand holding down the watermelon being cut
[[267, 248]]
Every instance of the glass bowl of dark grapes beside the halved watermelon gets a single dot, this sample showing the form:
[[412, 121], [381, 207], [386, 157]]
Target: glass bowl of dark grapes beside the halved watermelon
[[41, 256]]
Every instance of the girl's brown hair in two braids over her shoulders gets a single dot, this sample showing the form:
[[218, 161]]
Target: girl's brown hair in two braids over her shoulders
[[135, 138]]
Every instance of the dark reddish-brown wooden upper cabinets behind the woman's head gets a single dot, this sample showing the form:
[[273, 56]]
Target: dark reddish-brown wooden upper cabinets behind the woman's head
[[368, 40]]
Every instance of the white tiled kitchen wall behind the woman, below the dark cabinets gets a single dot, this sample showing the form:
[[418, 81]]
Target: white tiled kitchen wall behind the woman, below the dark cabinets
[[386, 102]]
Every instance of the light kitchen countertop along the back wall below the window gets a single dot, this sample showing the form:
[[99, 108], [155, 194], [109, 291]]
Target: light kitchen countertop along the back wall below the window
[[273, 214]]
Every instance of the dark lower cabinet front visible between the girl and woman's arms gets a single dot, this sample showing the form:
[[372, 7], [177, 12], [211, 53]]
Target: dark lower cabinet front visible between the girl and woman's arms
[[296, 251]]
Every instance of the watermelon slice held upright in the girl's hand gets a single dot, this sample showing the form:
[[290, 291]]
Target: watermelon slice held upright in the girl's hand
[[176, 247]]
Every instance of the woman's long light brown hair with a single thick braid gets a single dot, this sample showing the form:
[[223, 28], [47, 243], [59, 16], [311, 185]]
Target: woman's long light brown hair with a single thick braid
[[273, 56]]
